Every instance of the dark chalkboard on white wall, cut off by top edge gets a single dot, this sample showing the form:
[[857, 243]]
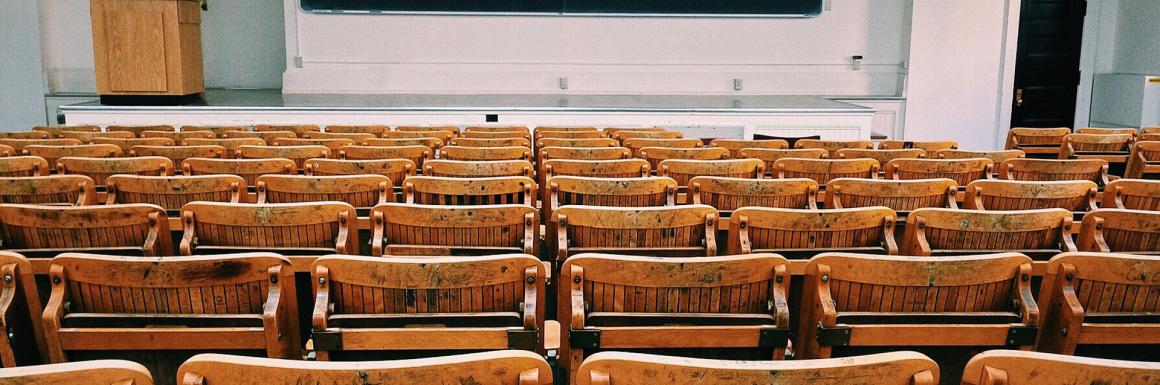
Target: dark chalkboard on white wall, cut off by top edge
[[578, 8]]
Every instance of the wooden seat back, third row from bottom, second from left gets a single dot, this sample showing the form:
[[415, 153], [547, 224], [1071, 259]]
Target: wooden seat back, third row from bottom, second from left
[[292, 229]]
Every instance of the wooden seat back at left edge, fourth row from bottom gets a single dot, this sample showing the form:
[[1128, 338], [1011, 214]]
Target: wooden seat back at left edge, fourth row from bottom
[[76, 191]]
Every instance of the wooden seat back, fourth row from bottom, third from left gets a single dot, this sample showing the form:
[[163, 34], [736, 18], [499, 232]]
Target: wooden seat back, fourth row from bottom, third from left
[[361, 192]]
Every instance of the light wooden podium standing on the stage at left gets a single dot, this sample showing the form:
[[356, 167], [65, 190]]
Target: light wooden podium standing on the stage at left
[[148, 52]]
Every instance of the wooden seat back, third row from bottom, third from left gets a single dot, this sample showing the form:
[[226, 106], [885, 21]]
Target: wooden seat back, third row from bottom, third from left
[[402, 229]]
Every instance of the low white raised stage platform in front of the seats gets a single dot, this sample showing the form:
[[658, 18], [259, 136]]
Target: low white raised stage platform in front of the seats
[[708, 117]]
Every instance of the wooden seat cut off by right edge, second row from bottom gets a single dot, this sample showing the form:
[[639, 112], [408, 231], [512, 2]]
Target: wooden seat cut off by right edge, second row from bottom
[[1099, 299]]
